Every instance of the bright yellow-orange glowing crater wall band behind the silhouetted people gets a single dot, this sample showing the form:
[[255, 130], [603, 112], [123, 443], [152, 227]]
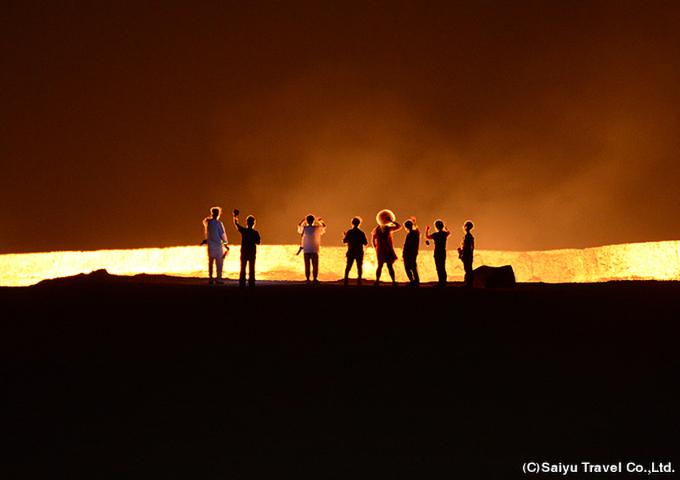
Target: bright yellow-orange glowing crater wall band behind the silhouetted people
[[636, 261]]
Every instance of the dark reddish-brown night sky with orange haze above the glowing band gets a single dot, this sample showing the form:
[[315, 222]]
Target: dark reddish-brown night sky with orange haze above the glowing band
[[550, 124]]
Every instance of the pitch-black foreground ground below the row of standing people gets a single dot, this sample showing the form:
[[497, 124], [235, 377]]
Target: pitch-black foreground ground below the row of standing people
[[160, 378]]
